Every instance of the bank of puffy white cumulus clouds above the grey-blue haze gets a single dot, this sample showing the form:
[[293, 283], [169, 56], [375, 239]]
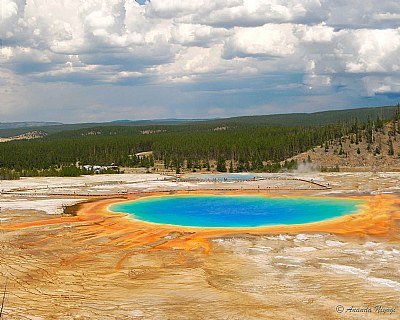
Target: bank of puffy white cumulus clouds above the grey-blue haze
[[321, 46]]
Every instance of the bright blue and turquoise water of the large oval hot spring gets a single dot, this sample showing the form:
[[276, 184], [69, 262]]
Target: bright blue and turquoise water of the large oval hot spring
[[235, 211]]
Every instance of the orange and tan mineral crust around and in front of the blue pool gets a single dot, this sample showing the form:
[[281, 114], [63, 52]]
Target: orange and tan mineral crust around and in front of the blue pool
[[100, 264]]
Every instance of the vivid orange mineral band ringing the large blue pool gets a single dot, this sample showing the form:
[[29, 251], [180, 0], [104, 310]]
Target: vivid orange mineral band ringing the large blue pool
[[378, 217]]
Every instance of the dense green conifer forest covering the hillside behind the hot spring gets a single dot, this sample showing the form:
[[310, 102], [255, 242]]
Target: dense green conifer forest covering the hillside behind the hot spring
[[242, 144]]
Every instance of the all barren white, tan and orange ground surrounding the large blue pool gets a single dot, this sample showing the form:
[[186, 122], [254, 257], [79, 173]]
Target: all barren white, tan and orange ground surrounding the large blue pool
[[109, 267]]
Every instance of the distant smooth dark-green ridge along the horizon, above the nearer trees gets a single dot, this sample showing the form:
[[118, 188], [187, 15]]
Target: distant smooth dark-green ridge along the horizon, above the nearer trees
[[276, 120]]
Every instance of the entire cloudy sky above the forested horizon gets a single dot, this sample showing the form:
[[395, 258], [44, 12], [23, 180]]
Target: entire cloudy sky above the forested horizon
[[100, 60]]
